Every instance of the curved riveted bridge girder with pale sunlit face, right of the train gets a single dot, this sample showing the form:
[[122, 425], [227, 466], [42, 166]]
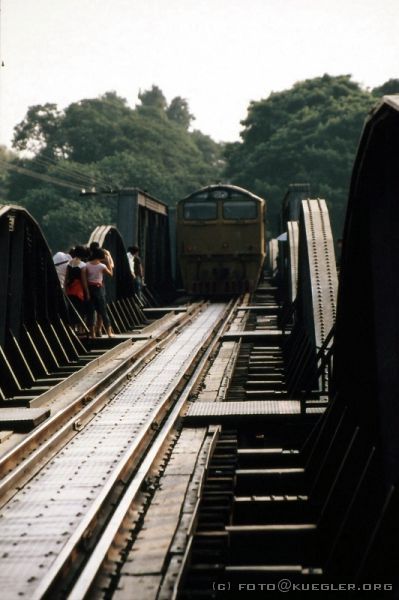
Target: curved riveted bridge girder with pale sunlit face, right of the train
[[312, 263]]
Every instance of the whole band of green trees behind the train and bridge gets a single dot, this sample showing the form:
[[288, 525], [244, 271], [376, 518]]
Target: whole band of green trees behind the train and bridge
[[307, 134]]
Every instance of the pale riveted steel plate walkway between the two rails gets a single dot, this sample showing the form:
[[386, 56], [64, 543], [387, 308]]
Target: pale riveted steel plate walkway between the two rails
[[75, 478]]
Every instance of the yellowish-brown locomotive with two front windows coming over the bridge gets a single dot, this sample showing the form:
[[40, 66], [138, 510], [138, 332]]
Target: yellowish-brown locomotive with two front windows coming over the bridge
[[220, 232]]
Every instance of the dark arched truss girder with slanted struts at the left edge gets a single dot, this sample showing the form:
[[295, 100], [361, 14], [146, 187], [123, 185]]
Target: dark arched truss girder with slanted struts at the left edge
[[37, 346]]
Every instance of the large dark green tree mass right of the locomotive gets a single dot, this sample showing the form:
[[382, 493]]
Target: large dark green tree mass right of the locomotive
[[308, 134]]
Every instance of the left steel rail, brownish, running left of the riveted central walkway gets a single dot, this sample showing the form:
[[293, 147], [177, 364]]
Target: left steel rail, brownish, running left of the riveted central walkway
[[26, 458]]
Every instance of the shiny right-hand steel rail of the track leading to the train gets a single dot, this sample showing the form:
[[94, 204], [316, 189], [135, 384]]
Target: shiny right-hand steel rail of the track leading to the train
[[104, 545]]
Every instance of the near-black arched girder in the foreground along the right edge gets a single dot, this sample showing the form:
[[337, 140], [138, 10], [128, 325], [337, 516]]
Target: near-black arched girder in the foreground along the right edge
[[366, 357]]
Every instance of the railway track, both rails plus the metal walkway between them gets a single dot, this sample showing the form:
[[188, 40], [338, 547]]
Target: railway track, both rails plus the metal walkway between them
[[68, 486]]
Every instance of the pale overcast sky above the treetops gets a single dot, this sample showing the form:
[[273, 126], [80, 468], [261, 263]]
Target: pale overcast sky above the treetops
[[218, 54]]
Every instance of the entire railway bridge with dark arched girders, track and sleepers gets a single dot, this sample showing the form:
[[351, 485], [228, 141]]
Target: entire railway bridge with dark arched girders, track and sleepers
[[238, 448]]
